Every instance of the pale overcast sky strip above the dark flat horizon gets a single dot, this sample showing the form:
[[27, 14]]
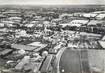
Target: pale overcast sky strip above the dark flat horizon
[[51, 2]]
